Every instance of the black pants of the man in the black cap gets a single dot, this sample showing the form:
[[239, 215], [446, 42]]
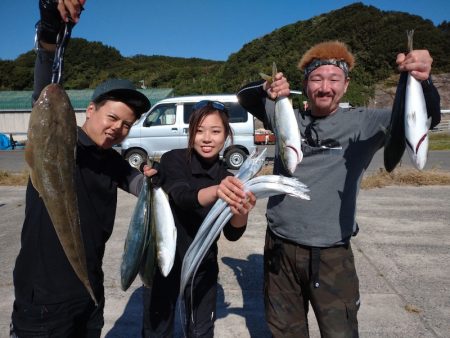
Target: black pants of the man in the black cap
[[76, 318]]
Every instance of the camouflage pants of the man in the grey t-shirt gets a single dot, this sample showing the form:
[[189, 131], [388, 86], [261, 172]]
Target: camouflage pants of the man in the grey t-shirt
[[288, 290]]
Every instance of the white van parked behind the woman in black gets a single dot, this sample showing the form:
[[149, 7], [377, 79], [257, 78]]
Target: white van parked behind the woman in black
[[165, 127]]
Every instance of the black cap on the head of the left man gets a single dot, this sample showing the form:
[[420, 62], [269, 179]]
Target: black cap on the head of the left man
[[123, 91]]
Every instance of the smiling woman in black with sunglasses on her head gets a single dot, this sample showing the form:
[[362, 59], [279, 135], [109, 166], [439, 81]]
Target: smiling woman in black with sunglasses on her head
[[194, 178]]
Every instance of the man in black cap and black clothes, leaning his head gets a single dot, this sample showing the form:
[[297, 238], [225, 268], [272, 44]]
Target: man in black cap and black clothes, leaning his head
[[50, 300]]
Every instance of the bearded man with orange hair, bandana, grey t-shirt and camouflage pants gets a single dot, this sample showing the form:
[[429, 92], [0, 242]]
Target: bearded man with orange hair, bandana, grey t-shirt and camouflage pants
[[307, 256]]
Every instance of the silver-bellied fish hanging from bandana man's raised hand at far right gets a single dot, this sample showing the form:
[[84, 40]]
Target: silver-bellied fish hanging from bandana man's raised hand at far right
[[417, 122]]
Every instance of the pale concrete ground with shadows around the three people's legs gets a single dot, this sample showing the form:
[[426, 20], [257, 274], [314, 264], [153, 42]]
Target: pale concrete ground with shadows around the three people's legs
[[402, 255]]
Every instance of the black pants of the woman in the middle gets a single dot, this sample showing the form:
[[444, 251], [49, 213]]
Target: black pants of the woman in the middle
[[160, 302]]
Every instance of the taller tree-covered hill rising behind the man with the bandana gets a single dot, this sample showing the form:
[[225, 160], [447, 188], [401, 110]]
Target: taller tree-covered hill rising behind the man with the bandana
[[374, 36]]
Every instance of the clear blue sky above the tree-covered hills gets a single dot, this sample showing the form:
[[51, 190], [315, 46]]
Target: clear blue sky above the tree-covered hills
[[209, 29]]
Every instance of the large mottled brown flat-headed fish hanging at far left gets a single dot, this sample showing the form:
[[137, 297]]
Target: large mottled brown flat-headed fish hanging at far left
[[50, 153]]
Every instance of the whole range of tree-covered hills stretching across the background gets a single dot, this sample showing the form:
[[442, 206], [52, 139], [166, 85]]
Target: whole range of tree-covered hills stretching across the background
[[374, 36]]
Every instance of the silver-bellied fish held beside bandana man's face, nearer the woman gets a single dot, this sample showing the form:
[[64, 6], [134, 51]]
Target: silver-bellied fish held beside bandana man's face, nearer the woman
[[287, 133]]
